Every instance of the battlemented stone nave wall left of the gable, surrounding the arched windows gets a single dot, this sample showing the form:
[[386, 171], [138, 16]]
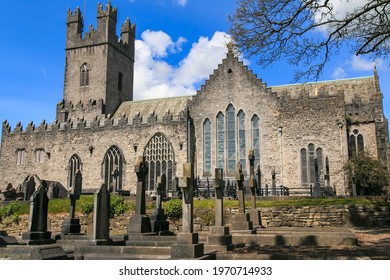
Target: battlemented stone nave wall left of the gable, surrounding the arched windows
[[90, 143]]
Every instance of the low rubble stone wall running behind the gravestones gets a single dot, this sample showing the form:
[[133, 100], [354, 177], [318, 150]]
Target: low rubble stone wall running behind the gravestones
[[306, 216]]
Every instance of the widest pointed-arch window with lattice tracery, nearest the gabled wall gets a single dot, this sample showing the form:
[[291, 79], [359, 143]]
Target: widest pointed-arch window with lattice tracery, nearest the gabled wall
[[159, 157]]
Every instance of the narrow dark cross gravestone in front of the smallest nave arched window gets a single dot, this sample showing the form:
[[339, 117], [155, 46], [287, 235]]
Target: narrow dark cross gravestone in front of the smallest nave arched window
[[71, 226]]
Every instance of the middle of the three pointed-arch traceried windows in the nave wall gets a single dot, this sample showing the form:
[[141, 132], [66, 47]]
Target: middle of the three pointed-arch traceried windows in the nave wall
[[113, 164]]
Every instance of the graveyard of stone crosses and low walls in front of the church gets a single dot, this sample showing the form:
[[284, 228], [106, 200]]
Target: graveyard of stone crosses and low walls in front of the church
[[246, 232]]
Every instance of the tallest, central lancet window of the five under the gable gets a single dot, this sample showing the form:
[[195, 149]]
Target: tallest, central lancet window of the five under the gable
[[231, 138]]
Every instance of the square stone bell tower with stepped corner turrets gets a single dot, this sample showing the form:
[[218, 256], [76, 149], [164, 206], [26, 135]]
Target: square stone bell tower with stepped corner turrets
[[99, 66]]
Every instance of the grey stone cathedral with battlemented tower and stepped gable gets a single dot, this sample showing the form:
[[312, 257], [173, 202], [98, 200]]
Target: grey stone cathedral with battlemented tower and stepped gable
[[299, 133]]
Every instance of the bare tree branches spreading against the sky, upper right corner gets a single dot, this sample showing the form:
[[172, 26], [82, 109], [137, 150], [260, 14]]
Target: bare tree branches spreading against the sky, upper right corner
[[308, 32]]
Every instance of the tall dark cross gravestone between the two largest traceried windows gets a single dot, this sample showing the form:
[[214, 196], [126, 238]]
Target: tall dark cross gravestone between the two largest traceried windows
[[139, 222]]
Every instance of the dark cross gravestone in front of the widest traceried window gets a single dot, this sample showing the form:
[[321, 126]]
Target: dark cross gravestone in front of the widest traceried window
[[158, 219]]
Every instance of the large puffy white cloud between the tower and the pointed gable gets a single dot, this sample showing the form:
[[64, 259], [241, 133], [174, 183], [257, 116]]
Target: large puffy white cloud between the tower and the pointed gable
[[156, 78]]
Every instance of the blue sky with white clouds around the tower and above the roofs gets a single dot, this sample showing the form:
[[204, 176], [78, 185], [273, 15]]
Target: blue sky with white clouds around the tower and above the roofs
[[179, 43]]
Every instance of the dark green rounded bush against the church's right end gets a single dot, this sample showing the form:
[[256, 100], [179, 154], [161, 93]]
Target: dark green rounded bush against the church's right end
[[370, 176]]
